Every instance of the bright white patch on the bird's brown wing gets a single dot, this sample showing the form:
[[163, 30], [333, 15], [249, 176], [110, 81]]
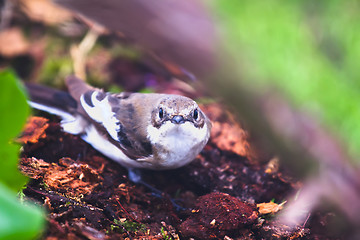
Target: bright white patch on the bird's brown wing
[[102, 113]]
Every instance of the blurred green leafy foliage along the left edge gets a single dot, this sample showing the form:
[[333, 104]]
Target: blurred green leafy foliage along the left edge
[[17, 221]]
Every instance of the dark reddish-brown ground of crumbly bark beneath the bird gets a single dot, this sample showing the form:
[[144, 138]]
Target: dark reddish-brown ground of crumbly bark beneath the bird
[[226, 193]]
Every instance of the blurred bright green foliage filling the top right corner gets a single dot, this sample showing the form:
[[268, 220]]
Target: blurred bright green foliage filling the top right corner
[[307, 50]]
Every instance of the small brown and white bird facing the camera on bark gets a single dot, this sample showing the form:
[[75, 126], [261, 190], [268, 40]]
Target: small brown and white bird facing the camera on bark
[[138, 130]]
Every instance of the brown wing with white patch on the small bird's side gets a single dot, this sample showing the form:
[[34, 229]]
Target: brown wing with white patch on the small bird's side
[[116, 116]]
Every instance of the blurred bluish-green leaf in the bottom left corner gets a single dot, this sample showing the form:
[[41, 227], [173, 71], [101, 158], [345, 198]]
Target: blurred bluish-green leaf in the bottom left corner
[[18, 221]]
